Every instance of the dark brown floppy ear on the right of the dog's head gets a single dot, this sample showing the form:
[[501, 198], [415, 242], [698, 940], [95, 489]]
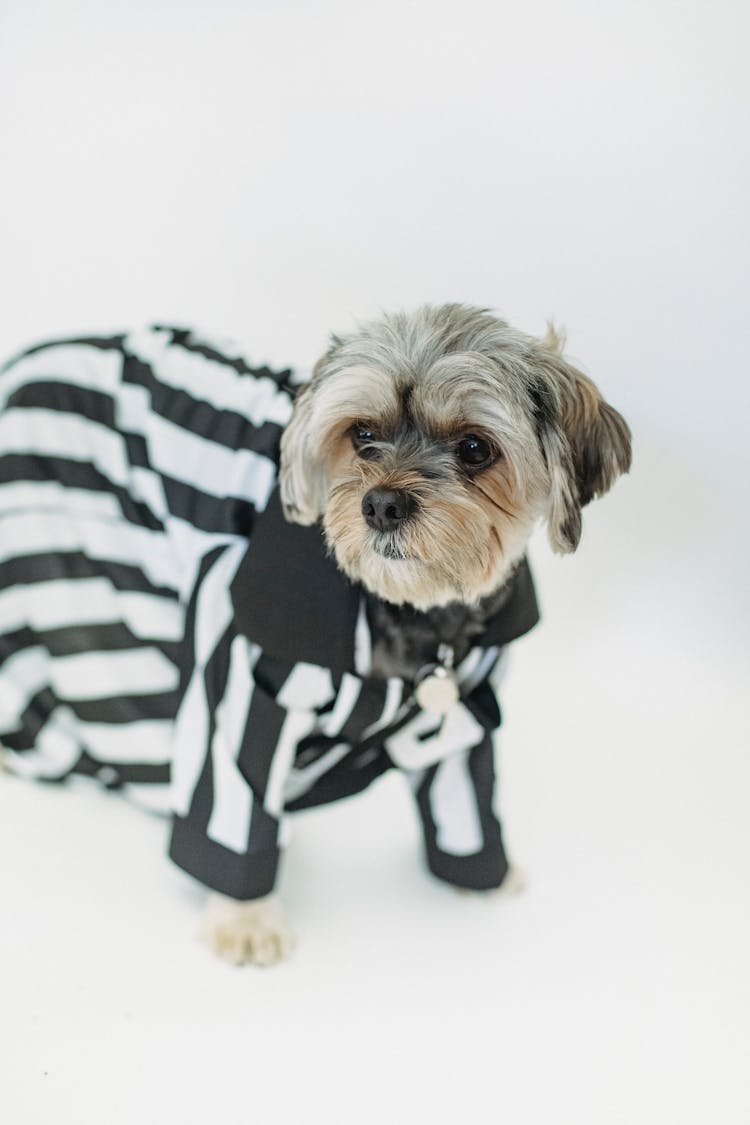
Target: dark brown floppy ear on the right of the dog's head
[[585, 442]]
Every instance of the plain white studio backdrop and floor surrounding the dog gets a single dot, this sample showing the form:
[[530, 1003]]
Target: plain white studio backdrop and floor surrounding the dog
[[272, 173]]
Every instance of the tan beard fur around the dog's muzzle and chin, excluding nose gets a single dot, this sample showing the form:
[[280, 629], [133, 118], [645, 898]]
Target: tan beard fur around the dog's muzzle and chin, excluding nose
[[458, 547]]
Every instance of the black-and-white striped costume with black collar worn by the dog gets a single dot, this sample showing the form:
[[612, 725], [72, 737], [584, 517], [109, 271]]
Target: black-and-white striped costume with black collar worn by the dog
[[165, 631]]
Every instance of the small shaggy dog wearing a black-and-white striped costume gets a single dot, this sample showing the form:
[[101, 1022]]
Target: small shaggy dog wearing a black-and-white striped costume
[[231, 592]]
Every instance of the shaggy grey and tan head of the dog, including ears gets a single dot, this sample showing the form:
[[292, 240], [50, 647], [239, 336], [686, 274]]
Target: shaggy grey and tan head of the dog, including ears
[[432, 444]]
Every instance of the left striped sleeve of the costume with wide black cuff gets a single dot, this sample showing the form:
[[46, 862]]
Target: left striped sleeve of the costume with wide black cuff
[[237, 733]]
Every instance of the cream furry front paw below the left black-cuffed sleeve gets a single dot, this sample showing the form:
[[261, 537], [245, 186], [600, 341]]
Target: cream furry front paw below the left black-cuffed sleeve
[[247, 933]]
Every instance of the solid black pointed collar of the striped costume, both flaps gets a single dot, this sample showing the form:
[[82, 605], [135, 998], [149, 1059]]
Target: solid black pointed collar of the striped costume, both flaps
[[292, 599]]
